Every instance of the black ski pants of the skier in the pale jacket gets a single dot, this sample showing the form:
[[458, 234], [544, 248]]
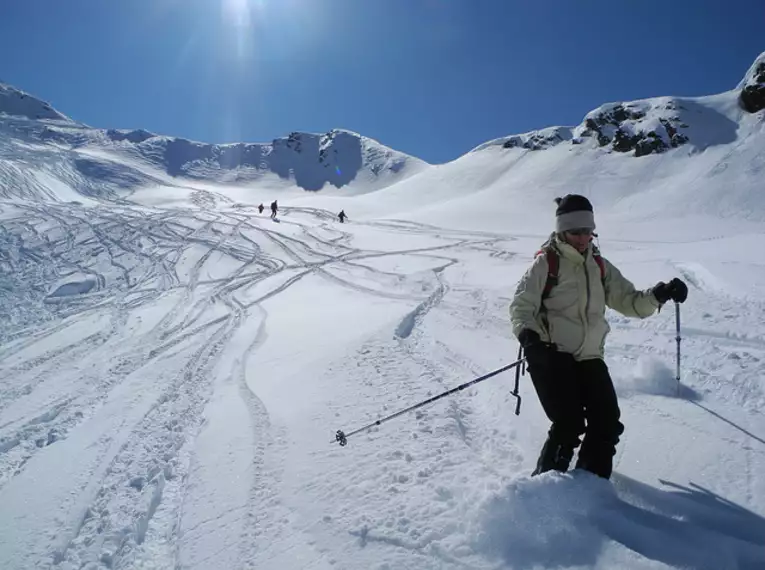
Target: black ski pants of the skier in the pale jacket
[[579, 399]]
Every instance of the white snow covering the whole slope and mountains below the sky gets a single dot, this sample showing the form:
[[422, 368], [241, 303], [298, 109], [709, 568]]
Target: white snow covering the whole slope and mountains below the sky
[[174, 365]]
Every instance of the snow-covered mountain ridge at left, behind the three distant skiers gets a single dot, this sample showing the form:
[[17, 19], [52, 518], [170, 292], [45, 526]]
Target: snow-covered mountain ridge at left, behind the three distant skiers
[[108, 163]]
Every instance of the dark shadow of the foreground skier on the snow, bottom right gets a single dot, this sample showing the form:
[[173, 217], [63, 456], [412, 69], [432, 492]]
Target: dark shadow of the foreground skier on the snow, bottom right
[[685, 526]]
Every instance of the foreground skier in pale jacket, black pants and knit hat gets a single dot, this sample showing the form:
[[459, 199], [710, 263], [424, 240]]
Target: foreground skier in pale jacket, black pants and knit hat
[[558, 315]]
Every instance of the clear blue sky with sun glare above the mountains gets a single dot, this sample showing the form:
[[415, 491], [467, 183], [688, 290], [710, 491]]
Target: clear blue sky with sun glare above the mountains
[[433, 78]]
